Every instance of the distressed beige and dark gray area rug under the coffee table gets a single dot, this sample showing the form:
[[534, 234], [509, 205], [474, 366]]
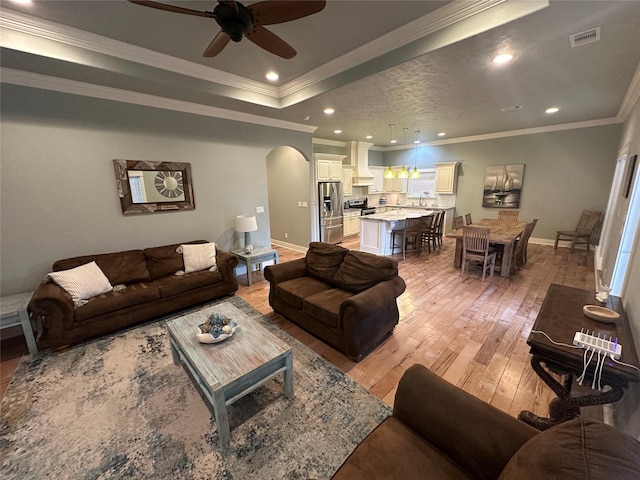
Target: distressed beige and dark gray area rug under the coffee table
[[118, 408]]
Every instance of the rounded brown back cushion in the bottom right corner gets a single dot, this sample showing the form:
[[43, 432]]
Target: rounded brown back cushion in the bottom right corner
[[580, 449]]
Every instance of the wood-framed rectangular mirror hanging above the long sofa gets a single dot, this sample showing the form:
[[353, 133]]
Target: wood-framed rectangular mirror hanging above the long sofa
[[153, 187]]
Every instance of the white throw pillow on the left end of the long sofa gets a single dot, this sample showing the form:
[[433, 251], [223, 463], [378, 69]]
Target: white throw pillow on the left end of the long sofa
[[83, 282]]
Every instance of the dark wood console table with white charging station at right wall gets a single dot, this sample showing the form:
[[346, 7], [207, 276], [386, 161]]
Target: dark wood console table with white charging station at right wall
[[560, 317]]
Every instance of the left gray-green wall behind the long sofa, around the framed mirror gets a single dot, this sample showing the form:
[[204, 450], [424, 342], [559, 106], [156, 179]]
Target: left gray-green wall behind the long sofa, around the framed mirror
[[58, 188]]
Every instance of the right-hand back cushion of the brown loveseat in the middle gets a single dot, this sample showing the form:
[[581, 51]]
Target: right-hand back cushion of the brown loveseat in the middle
[[362, 270]]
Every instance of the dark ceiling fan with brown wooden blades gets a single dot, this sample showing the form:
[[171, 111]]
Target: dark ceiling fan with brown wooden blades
[[237, 21]]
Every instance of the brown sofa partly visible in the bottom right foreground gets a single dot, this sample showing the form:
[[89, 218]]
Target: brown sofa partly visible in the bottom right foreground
[[438, 431]]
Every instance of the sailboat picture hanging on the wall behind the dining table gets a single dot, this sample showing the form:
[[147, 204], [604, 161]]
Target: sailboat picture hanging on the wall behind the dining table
[[502, 186]]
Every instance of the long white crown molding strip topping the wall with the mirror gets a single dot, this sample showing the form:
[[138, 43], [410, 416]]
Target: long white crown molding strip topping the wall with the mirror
[[45, 82]]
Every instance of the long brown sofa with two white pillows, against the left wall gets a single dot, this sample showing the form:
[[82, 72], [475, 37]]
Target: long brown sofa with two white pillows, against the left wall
[[151, 289]]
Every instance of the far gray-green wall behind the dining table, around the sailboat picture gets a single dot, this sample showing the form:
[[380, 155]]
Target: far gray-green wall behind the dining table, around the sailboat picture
[[565, 172]]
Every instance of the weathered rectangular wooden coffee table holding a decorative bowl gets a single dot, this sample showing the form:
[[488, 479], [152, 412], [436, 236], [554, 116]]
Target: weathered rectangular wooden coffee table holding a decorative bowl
[[225, 372]]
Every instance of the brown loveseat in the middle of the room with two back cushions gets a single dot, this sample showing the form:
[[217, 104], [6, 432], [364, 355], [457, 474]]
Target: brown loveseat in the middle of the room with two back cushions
[[345, 298]]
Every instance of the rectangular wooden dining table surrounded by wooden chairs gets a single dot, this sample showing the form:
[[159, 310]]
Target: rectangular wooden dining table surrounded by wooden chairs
[[502, 232]]
